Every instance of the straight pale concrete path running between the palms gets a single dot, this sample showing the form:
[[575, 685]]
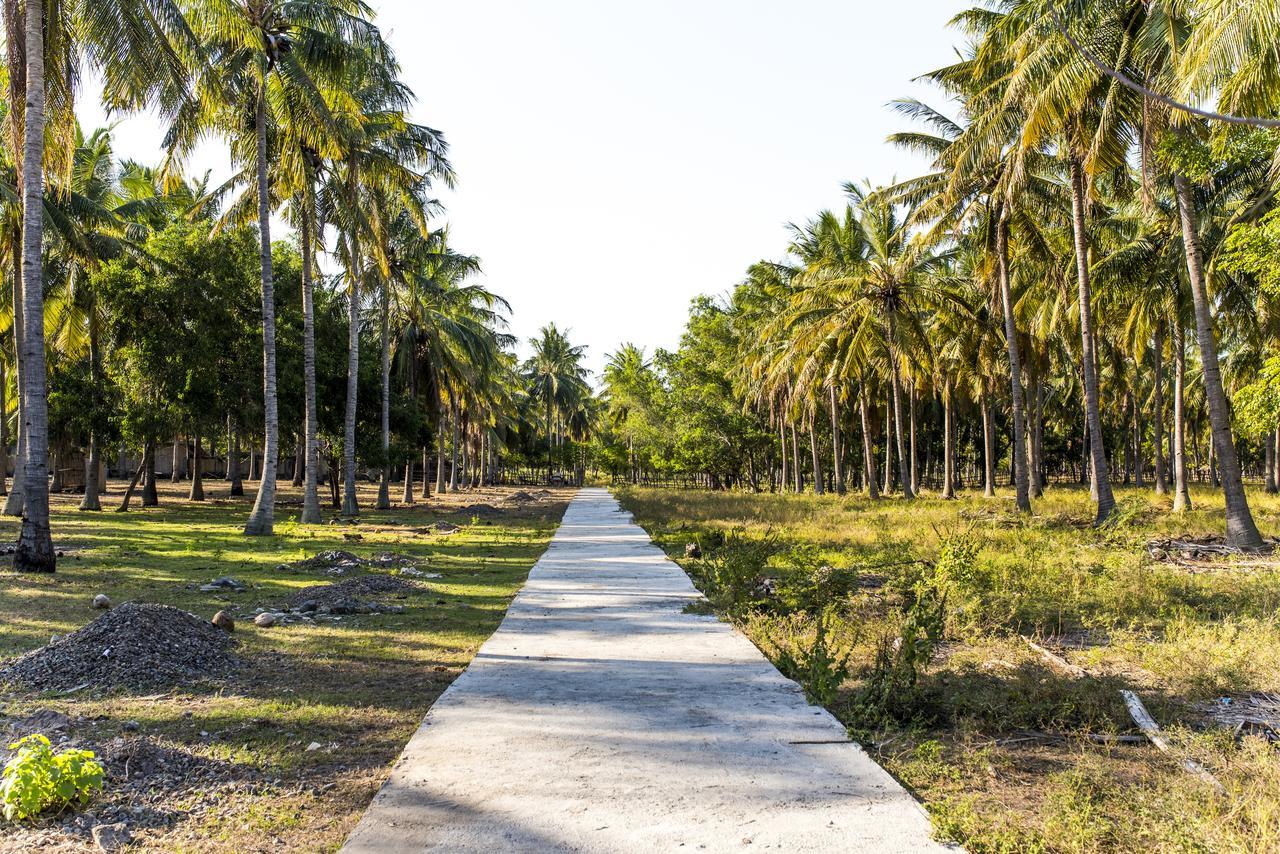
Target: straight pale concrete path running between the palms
[[600, 718]]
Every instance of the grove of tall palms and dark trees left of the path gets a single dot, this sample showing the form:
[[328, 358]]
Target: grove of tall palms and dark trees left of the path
[[172, 310]]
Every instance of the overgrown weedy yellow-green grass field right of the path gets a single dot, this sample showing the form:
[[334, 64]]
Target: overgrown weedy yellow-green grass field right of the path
[[908, 622]]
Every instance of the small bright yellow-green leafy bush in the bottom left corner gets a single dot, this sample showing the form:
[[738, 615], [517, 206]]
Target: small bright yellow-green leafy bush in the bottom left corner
[[38, 779]]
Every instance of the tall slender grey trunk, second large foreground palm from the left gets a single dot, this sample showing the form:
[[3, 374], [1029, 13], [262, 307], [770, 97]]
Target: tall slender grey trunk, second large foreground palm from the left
[[263, 517]]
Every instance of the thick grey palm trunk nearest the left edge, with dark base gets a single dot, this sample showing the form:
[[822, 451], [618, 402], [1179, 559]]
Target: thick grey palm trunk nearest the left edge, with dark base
[[35, 550]]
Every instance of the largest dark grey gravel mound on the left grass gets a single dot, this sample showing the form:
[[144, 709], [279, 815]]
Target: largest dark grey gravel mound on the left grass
[[134, 646]]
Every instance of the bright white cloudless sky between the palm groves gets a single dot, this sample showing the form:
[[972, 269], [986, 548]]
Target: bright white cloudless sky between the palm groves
[[618, 159]]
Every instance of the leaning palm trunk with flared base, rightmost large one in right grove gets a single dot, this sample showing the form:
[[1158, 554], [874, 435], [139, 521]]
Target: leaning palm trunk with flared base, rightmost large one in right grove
[[1241, 529]]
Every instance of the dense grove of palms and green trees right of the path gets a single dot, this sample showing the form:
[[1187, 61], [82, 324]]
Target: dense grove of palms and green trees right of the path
[[1081, 287]]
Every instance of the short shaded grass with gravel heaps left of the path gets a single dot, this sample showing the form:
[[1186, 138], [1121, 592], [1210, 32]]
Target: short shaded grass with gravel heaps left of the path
[[243, 777]]
